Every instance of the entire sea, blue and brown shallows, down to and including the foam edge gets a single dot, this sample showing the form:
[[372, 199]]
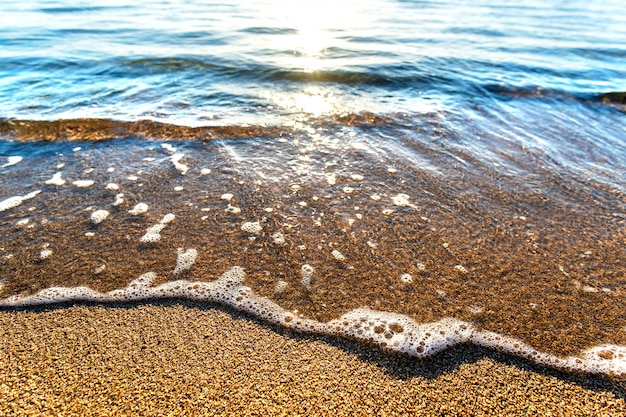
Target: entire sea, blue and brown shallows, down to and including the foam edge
[[413, 174]]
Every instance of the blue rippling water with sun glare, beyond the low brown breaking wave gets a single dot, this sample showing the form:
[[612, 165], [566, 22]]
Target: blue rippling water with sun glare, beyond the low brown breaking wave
[[246, 62]]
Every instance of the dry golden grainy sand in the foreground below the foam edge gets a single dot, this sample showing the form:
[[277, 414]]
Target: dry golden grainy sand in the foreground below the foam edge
[[182, 358]]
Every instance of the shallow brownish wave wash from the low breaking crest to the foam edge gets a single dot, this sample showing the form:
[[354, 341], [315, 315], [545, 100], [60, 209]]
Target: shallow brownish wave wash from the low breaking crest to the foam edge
[[426, 230]]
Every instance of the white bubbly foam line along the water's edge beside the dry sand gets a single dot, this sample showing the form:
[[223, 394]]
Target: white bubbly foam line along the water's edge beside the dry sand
[[390, 330]]
